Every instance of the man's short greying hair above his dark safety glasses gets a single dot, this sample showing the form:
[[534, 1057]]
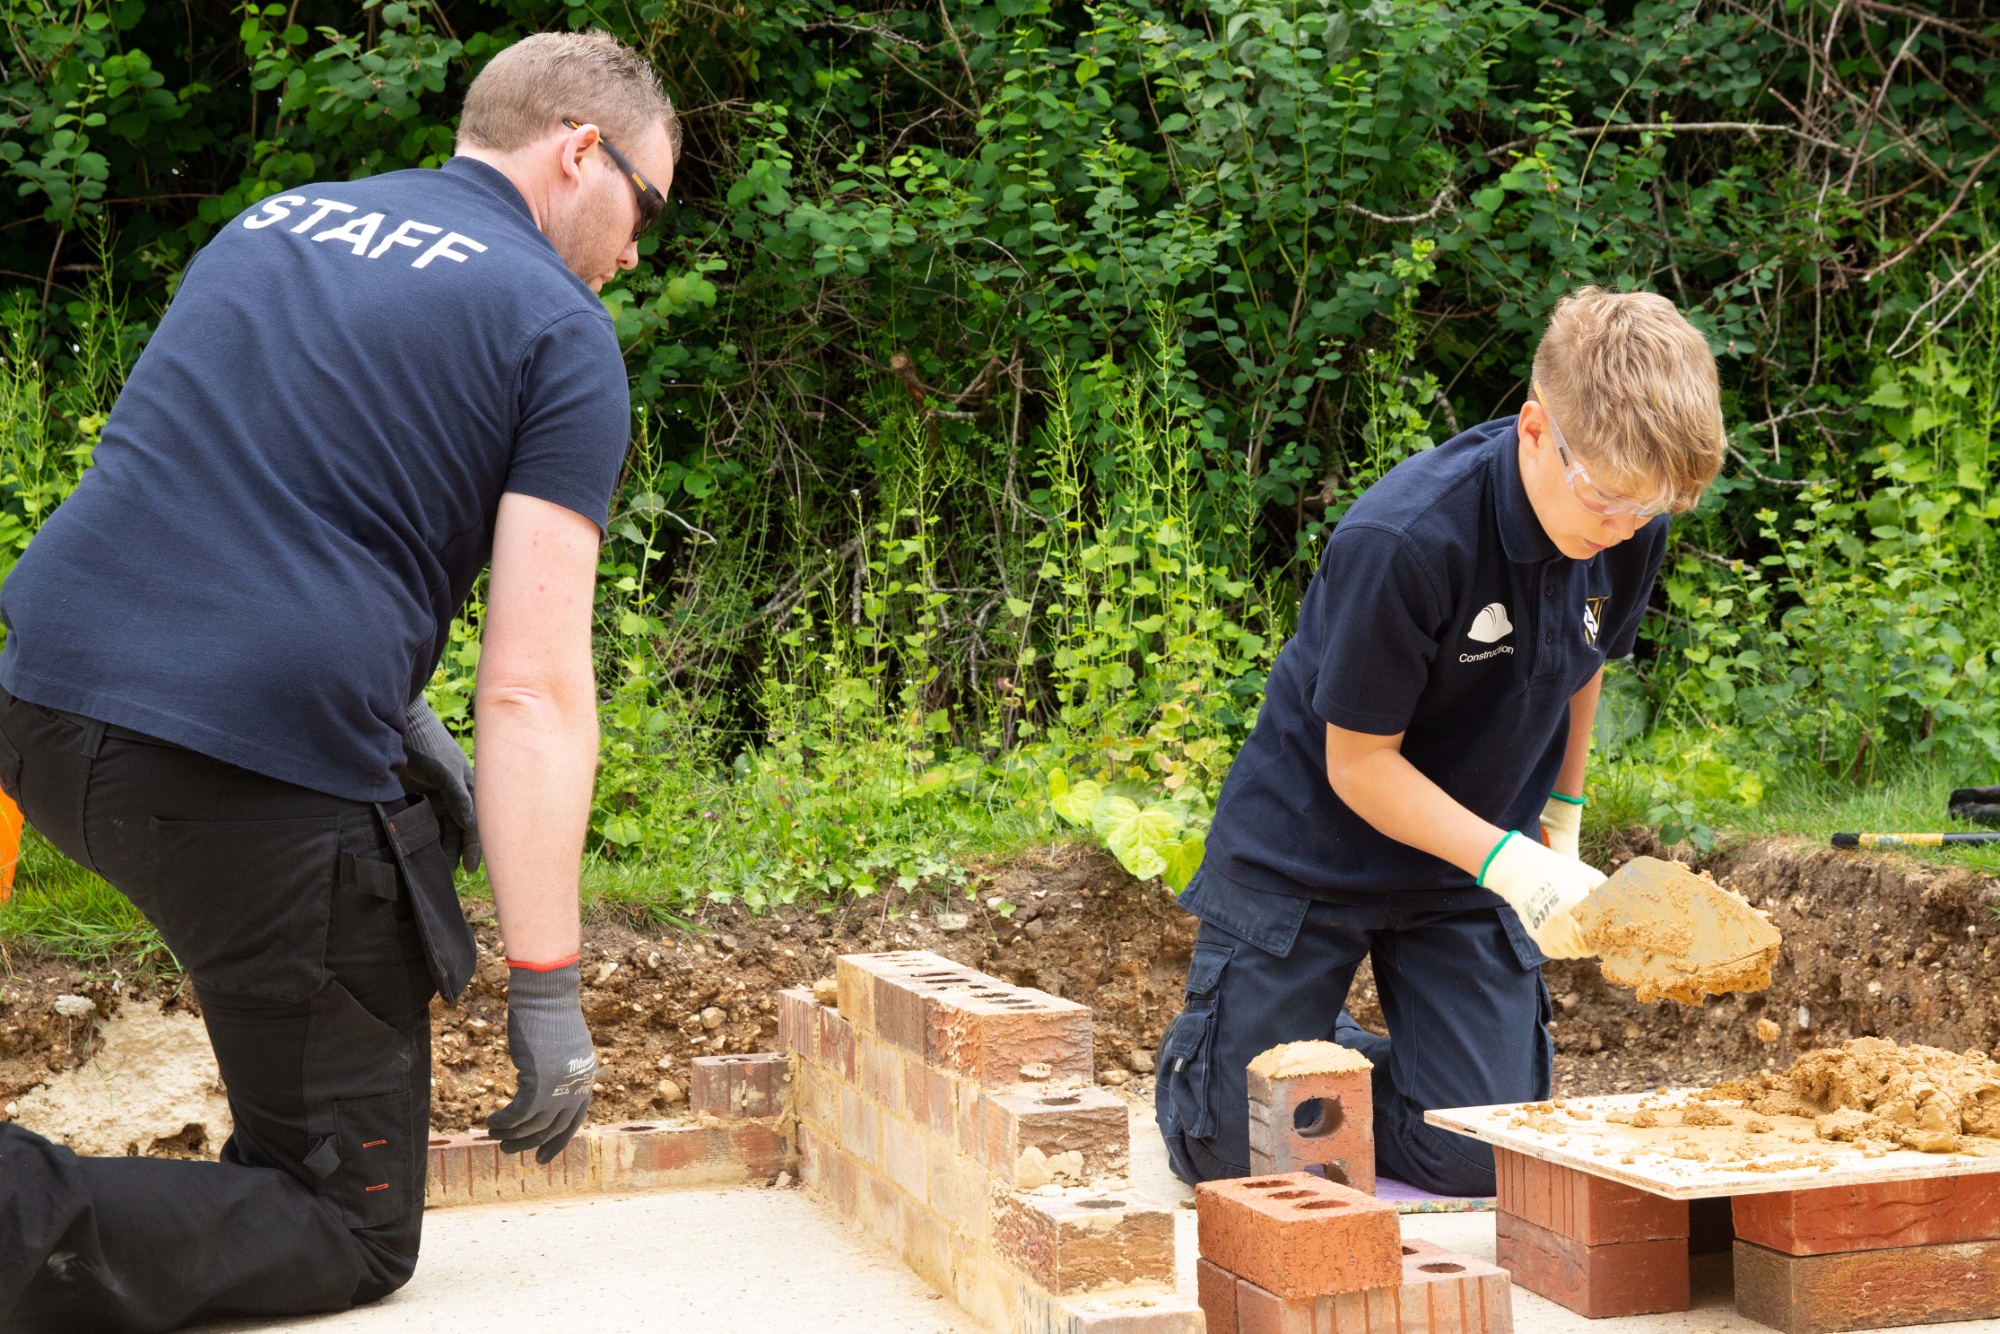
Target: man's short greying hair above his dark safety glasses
[[535, 85]]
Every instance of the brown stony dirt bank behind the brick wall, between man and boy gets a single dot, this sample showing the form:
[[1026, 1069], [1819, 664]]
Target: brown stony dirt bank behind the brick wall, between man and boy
[[1067, 921]]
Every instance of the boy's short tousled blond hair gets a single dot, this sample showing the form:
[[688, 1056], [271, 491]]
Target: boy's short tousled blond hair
[[1633, 387]]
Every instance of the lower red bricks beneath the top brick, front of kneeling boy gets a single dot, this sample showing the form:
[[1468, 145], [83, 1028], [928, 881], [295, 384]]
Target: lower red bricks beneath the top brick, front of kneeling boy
[[1437, 1293]]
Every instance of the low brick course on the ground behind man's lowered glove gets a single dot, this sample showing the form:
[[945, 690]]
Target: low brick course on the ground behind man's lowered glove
[[471, 1169]]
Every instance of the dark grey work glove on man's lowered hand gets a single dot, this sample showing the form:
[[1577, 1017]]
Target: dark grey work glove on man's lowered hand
[[551, 1049]]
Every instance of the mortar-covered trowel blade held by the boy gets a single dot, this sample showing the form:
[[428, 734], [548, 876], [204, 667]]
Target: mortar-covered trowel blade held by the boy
[[1667, 931]]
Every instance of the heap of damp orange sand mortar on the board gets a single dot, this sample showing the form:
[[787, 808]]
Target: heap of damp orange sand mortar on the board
[[1871, 1089]]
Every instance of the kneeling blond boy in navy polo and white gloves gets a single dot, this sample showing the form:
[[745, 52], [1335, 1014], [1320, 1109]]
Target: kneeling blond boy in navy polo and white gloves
[[1415, 781]]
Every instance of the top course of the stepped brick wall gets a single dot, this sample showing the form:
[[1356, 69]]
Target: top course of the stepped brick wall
[[965, 1021]]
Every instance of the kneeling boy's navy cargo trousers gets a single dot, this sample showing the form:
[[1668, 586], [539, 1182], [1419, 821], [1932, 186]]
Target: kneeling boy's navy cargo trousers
[[1461, 991]]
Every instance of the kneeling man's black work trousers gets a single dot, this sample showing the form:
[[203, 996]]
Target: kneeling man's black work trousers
[[287, 913]]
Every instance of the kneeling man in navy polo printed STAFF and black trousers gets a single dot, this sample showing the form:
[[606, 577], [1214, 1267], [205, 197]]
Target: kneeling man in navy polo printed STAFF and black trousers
[[361, 397]]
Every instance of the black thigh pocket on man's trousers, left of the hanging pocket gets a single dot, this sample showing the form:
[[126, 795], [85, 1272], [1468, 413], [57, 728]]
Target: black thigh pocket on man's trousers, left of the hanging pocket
[[245, 903]]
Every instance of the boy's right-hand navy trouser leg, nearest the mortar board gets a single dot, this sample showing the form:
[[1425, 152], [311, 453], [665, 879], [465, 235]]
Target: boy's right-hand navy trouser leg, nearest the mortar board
[[1469, 1027]]
